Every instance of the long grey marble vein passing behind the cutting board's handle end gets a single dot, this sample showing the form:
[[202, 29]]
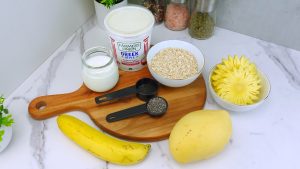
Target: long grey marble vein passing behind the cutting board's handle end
[[38, 137]]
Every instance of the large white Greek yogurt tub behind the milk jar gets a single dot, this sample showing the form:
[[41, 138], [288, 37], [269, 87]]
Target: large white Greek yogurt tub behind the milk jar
[[129, 29]]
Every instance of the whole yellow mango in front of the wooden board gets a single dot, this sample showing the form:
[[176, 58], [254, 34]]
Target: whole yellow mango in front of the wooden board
[[200, 135]]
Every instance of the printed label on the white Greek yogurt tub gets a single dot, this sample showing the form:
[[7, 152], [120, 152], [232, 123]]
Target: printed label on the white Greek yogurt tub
[[130, 56]]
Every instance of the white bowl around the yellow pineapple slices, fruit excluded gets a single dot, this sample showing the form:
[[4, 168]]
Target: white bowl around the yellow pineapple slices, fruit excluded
[[264, 93]]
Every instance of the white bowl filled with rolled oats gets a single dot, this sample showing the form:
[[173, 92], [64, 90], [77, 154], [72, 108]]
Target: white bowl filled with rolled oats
[[175, 63]]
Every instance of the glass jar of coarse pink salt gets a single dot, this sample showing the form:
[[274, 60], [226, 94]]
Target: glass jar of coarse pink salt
[[177, 15]]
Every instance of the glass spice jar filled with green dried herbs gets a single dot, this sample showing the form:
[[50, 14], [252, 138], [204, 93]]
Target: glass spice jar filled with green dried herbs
[[203, 19]]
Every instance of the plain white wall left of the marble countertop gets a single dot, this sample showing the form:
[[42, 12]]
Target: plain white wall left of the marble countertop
[[31, 31]]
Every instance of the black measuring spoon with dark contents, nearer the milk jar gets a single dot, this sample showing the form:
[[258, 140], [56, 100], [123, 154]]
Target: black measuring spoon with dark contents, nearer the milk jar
[[144, 89]]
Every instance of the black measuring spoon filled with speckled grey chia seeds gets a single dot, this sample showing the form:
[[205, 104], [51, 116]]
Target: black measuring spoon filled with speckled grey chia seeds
[[156, 106]]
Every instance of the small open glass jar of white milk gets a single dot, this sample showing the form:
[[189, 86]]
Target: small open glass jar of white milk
[[99, 69]]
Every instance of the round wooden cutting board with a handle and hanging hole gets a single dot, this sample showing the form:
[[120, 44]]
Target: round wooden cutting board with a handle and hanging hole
[[140, 128]]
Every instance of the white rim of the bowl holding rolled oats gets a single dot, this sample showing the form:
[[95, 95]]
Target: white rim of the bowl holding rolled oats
[[196, 75]]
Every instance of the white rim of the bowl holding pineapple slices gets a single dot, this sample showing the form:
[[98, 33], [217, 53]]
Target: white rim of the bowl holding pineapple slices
[[239, 105]]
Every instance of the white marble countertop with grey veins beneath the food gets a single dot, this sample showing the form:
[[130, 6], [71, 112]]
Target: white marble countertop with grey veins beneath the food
[[267, 137]]
